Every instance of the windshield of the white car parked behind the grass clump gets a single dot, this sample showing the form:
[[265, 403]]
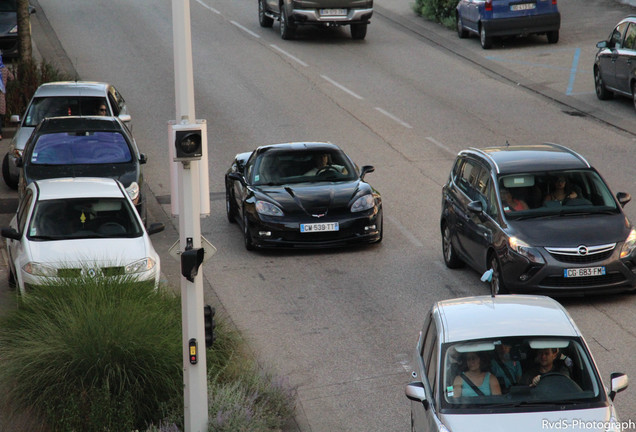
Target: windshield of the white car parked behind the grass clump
[[83, 218]]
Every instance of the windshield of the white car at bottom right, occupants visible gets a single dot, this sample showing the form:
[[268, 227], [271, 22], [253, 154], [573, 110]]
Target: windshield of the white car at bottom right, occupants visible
[[518, 372]]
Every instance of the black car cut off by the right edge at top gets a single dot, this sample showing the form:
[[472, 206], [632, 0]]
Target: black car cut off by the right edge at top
[[615, 62]]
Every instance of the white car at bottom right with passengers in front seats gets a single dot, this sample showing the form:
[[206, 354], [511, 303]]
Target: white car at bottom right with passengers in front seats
[[507, 363]]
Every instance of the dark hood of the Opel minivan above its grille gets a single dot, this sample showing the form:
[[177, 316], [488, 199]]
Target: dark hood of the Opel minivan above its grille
[[572, 230]]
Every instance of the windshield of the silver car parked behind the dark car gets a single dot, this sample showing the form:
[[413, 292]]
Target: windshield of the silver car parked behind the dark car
[[43, 107]]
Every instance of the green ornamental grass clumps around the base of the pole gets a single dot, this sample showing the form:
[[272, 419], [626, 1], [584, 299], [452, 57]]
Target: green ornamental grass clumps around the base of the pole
[[101, 355]]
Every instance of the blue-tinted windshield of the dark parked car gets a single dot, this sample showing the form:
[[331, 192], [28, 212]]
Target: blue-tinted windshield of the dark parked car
[[70, 148]]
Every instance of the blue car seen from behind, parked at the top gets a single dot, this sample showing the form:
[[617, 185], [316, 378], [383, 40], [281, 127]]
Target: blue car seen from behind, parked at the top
[[499, 18]]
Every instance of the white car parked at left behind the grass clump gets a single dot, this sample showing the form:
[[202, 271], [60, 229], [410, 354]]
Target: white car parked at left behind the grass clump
[[66, 227]]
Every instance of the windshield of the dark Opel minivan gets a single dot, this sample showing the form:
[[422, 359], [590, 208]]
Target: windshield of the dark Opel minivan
[[526, 195]]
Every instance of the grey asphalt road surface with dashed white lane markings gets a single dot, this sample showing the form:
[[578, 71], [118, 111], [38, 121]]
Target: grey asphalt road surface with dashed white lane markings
[[341, 325]]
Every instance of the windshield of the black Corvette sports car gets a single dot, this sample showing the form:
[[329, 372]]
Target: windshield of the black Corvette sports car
[[287, 167]]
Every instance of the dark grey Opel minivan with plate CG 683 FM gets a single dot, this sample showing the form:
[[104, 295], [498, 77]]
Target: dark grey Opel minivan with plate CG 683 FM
[[541, 218]]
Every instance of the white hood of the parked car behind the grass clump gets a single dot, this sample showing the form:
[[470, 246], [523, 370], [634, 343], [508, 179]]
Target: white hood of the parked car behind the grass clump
[[111, 250]]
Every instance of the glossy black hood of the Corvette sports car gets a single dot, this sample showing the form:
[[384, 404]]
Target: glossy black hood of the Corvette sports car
[[314, 198]]
